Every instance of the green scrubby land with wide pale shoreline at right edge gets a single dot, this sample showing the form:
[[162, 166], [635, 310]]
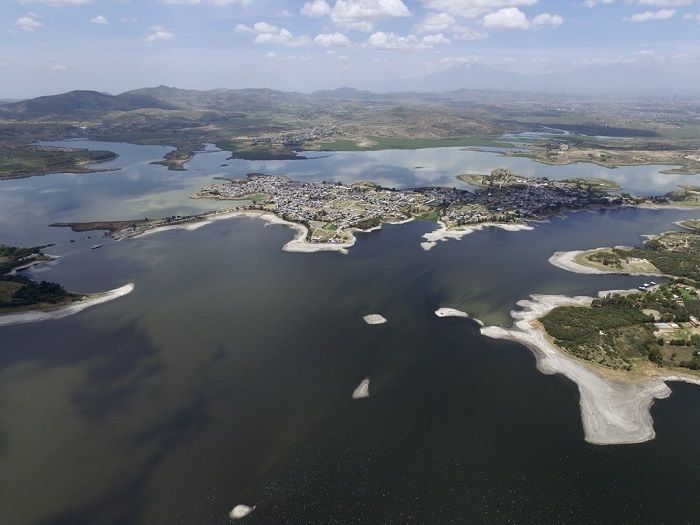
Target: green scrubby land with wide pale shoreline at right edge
[[621, 347]]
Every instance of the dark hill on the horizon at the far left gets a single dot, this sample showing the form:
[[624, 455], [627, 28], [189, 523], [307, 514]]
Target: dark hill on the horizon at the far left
[[78, 104]]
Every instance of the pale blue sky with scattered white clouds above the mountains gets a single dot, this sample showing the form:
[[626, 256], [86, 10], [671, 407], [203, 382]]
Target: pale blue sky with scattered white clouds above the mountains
[[53, 46]]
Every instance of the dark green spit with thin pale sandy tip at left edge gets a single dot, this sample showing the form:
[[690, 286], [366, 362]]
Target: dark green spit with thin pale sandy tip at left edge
[[23, 300]]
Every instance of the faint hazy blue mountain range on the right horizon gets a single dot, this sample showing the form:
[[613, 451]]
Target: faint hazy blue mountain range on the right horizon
[[594, 80]]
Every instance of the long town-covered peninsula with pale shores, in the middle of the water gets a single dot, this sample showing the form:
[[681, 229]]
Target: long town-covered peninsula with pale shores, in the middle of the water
[[326, 215]]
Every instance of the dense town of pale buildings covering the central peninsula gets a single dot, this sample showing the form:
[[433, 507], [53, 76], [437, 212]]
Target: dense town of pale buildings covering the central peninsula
[[329, 210]]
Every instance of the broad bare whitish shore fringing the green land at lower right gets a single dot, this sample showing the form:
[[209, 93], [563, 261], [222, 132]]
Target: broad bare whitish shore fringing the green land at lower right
[[614, 408]]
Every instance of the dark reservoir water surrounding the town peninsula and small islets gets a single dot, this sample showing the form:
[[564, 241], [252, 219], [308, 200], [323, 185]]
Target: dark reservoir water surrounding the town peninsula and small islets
[[226, 376]]
